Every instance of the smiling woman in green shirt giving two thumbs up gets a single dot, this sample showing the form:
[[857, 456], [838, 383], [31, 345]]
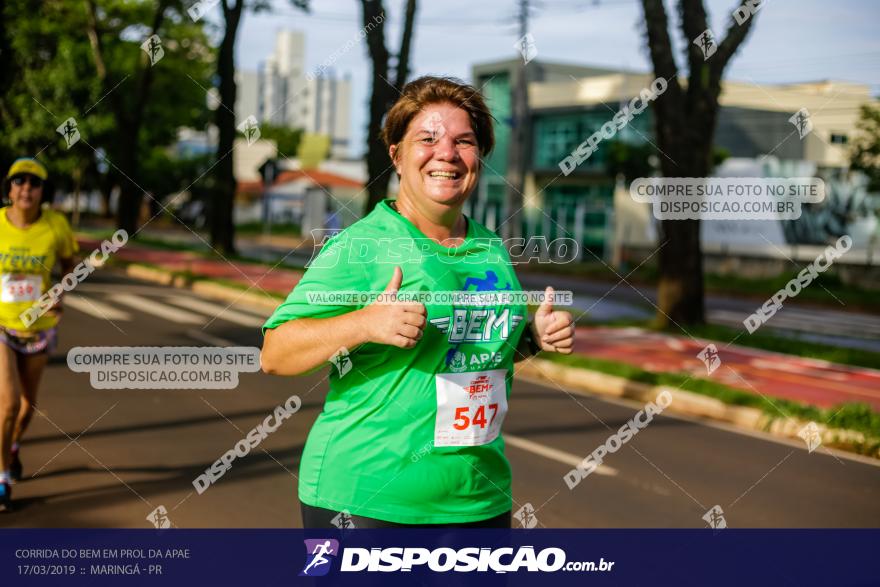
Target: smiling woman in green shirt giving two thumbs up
[[410, 433]]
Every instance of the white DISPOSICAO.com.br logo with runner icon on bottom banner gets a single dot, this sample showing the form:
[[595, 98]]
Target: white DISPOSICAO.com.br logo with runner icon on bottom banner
[[441, 560]]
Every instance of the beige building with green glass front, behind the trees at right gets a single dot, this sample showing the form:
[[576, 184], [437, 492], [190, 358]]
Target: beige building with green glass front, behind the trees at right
[[568, 103]]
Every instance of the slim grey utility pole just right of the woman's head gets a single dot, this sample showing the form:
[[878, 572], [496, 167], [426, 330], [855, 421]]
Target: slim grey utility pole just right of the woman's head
[[518, 149]]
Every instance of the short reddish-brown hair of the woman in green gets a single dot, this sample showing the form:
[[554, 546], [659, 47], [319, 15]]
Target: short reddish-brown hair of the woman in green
[[433, 90]]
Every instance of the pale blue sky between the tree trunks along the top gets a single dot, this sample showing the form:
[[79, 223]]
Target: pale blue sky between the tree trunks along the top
[[792, 40]]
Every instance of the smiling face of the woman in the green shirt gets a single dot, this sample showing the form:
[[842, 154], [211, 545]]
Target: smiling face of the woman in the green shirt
[[438, 159]]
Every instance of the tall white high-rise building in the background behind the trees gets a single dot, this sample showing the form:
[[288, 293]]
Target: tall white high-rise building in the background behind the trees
[[282, 93]]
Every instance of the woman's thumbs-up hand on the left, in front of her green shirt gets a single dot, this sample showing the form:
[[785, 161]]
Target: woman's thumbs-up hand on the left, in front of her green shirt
[[399, 324]]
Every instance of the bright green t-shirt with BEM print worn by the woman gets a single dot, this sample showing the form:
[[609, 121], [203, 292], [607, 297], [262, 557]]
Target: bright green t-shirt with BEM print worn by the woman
[[413, 435]]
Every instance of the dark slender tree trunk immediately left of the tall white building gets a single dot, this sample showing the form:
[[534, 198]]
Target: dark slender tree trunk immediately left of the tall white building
[[220, 214]]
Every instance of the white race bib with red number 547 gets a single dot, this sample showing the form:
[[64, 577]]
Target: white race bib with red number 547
[[470, 407]]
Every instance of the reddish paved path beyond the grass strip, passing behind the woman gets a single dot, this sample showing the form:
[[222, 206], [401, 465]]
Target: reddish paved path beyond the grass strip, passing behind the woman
[[774, 375]]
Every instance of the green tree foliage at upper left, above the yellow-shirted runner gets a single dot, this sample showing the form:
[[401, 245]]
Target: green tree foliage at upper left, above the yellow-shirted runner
[[84, 60]]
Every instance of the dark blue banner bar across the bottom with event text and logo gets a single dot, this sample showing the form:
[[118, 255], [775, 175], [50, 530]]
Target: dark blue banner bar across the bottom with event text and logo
[[198, 558]]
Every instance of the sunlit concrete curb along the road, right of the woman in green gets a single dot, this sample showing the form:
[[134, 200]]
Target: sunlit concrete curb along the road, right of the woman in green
[[686, 403]]
